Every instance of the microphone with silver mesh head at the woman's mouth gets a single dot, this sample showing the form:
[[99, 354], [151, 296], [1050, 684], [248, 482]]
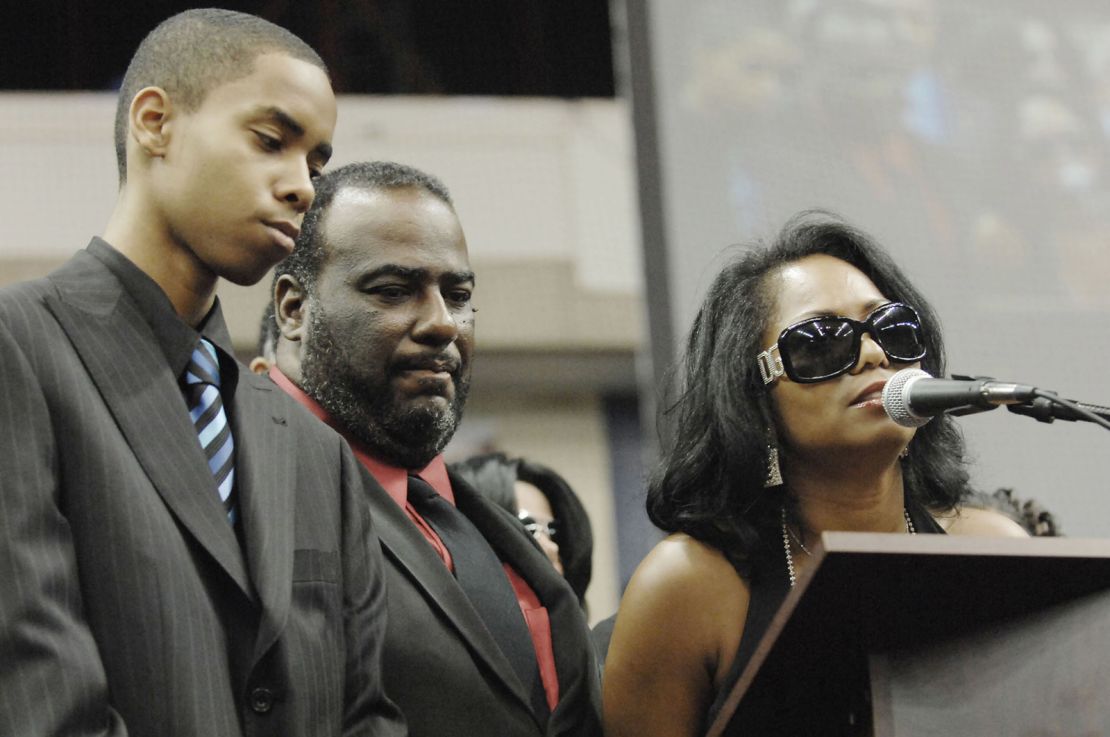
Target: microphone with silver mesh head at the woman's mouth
[[913, 398]]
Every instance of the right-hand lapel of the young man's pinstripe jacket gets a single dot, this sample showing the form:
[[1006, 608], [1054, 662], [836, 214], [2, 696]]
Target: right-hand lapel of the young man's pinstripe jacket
[[265, 458]]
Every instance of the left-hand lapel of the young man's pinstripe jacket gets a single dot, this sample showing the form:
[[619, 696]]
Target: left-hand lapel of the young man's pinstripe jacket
[[132, 375]]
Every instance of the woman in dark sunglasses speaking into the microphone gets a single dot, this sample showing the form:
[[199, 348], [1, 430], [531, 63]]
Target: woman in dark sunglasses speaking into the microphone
[[780, 435]]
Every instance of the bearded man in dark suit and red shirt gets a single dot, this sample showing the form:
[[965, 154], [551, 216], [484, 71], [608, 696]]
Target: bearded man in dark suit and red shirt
[[377, 330]]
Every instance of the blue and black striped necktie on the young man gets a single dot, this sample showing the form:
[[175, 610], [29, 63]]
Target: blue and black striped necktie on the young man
[[206, 409]]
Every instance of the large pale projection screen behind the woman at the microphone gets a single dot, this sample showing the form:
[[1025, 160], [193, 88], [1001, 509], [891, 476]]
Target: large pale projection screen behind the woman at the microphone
[[971, 138]]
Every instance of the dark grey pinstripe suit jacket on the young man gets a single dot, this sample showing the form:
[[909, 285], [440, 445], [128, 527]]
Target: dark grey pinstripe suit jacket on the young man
[[127, 603]]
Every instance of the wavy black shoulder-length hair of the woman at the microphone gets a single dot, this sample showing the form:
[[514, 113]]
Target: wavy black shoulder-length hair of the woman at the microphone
[[710, 482]]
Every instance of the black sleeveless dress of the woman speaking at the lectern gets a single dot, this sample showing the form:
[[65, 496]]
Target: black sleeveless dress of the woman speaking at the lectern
[[770, 584]]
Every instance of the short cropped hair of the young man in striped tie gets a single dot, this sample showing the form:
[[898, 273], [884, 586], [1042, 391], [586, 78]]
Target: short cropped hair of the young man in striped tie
[[191, 54]]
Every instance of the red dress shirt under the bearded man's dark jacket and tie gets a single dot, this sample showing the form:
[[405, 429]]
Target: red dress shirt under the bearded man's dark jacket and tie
[[396, 483]]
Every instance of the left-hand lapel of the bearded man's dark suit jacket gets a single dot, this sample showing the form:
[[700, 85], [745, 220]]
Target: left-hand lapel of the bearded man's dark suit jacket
[[403, 542]]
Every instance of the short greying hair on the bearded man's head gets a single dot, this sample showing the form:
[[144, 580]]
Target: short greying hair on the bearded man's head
[[304, 265]]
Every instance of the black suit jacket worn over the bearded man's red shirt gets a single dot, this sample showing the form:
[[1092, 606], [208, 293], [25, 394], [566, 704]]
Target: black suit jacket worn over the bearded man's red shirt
[[443, 669]]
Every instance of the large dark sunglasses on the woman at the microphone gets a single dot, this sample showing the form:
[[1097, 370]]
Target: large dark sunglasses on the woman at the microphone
[[823, 348]]
